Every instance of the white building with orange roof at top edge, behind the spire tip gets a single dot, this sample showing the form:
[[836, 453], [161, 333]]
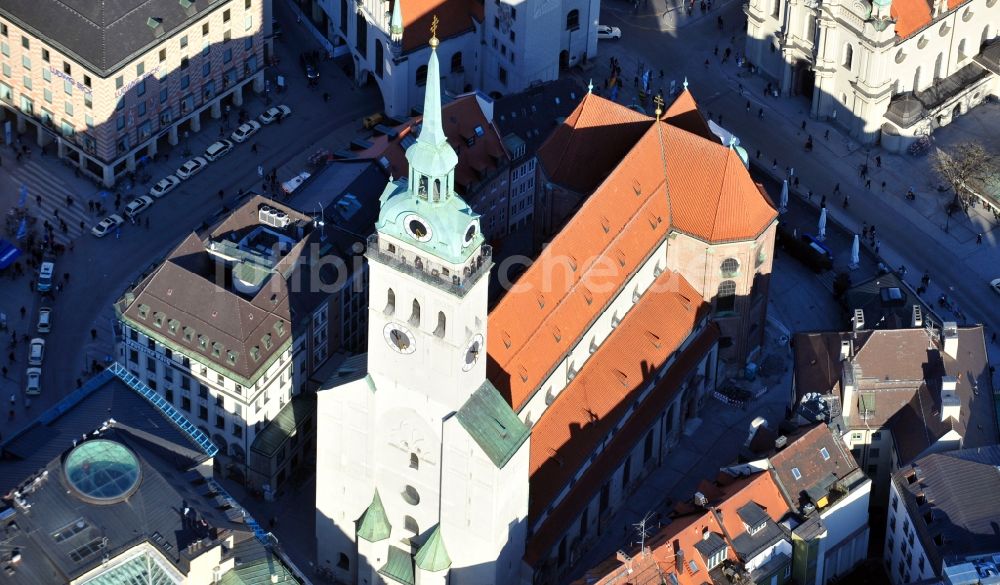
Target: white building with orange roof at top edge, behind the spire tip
[[496, 47]]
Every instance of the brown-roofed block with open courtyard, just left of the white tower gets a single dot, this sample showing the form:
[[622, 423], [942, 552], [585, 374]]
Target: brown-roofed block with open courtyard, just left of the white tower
[[232, 324]]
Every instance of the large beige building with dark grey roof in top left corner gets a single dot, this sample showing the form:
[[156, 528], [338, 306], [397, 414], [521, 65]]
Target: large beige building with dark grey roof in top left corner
[[106, 84]]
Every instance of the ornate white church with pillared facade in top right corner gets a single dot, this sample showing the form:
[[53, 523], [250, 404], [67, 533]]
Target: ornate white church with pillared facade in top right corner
[[888, 70]]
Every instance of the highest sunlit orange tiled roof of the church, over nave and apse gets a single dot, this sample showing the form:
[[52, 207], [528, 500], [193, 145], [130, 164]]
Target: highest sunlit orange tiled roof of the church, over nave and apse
[[711, 197]]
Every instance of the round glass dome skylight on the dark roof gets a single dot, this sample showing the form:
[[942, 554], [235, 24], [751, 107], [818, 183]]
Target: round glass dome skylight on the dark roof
[[102, 471]]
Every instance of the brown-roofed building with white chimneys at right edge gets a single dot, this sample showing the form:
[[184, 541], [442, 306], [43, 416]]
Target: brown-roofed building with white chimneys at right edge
[[904, 392]]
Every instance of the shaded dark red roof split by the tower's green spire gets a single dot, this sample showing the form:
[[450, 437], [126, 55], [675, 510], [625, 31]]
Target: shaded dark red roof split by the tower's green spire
[[460, 118]]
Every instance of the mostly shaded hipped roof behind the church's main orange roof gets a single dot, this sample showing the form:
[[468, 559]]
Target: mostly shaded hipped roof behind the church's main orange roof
[[593, 139]]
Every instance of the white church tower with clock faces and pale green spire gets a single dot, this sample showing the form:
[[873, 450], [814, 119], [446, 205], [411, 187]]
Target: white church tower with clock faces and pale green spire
[[422, 467]]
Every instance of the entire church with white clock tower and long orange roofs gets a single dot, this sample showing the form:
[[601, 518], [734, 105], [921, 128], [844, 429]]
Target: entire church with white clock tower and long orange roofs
[[604, 351]]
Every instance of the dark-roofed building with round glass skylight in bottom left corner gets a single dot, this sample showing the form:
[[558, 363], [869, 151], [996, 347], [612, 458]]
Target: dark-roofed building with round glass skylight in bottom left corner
[[110, 486]]
